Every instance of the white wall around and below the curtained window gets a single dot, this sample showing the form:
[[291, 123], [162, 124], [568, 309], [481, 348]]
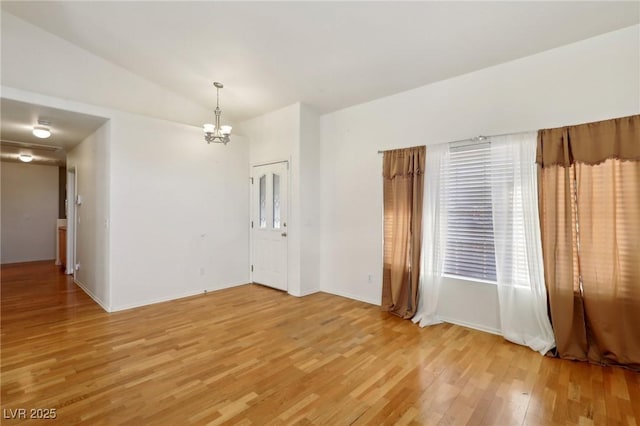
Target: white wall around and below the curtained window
[[591, 80]]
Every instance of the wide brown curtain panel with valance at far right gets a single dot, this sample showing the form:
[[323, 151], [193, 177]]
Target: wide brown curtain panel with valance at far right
[[590, 220]]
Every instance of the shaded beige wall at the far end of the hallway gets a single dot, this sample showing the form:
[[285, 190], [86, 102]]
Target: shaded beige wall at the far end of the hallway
[[29, 212]]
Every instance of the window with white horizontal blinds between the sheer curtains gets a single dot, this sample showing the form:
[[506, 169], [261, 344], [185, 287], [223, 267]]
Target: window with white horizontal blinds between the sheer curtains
[[470, 251]]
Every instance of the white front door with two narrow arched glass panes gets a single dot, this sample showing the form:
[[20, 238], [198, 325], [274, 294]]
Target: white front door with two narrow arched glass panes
[[269, 224]]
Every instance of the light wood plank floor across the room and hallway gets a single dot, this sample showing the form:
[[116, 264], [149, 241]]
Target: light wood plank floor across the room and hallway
[[252, 355]]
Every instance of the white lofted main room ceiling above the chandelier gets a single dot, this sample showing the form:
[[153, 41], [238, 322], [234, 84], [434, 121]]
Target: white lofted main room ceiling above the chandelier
[[330, 55]]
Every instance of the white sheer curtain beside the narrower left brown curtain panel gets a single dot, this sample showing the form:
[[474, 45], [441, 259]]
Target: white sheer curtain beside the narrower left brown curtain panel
[[433, 235]]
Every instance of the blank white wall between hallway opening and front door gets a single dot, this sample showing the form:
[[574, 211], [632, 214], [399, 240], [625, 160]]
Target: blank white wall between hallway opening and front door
[[179, 212]]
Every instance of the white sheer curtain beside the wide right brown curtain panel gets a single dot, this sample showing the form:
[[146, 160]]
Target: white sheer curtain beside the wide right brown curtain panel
[[522, 294]]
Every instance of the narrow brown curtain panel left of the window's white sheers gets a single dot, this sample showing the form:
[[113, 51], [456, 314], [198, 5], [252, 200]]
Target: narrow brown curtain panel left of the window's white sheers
[[403, 173]]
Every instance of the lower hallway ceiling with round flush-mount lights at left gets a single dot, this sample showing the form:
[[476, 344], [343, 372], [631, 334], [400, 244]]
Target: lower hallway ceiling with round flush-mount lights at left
[[67, 130]]
